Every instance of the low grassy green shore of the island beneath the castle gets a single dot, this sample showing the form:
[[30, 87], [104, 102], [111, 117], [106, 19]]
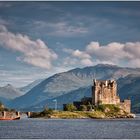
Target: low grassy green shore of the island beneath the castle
[[107, 111]]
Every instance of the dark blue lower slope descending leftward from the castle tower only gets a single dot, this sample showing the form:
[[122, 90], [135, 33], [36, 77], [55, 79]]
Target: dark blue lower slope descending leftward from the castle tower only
[[71, 96]]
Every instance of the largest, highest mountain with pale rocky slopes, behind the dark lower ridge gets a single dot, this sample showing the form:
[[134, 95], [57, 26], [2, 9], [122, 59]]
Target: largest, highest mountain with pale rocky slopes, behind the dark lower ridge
[[61, 84]]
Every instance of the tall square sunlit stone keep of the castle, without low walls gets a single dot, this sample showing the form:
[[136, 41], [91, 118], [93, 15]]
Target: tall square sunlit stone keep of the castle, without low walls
[[105, 92]]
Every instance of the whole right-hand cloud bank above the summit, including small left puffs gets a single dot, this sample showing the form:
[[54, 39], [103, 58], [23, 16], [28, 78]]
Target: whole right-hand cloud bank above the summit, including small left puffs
[[127, 54]]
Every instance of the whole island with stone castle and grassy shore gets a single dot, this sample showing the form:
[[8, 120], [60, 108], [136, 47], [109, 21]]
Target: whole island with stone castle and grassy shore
[[104, 103]]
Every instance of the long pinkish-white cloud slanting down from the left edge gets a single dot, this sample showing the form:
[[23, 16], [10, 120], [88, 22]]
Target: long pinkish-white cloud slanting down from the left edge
[[32, 52]]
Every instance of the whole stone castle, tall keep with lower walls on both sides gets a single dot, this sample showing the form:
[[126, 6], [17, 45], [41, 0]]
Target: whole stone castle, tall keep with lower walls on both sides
[[105, 92]]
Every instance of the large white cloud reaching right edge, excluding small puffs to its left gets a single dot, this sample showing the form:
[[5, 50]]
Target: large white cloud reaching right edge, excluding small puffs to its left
[[128, 53]]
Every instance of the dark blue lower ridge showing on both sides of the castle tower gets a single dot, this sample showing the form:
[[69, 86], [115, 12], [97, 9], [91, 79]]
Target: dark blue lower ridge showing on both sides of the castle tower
[[128, 87]]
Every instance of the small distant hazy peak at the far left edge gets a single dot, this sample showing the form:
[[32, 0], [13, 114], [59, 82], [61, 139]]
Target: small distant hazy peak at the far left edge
[[8, 92]]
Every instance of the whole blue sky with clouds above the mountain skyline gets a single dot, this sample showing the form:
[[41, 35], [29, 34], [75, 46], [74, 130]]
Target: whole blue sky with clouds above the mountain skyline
[[39, 39]]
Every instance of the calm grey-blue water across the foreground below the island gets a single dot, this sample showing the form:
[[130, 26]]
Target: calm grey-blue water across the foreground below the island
[[71, 128]]
